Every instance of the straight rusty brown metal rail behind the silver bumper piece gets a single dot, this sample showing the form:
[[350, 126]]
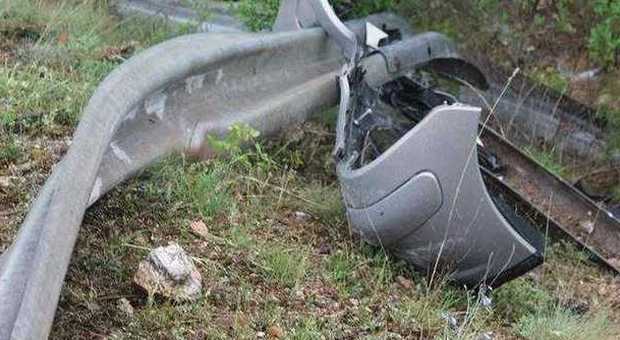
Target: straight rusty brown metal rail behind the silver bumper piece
[[552, 203]]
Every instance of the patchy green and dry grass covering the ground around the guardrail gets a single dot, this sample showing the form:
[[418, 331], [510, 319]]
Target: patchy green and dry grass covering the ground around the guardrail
[[262, 267]]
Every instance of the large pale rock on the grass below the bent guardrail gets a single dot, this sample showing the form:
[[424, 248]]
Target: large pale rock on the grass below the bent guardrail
[[170, 272]]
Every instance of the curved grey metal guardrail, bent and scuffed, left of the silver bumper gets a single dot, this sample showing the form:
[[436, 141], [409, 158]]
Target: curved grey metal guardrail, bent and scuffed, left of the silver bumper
[[166, 99]]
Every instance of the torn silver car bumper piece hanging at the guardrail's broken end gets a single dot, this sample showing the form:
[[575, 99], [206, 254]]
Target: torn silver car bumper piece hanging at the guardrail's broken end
[[412, 185]]
